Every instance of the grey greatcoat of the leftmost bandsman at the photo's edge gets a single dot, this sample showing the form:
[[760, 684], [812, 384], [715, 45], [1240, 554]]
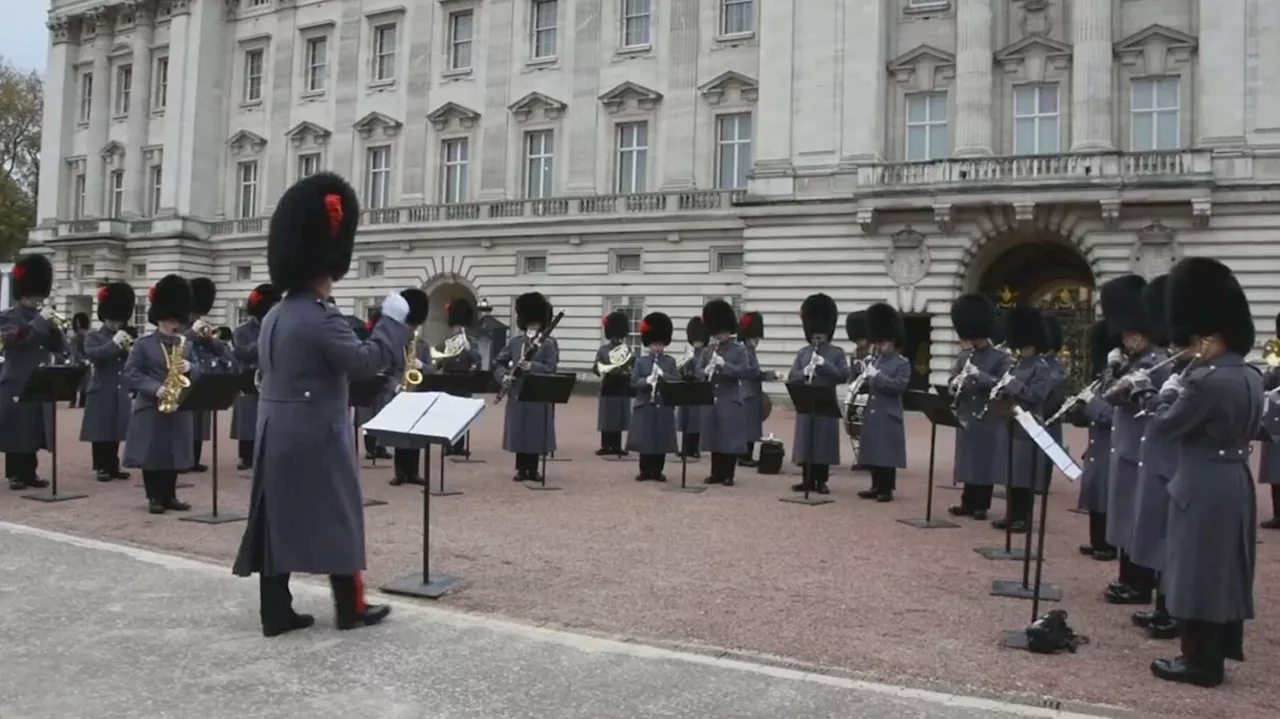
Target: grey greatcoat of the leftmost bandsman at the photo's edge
[[29, 344]]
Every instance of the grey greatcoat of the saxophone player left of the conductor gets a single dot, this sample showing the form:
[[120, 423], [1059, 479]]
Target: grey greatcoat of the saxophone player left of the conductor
[[157, 442]]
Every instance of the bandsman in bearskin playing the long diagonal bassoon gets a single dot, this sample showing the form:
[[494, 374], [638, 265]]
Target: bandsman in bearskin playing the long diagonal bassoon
[[529, 428]]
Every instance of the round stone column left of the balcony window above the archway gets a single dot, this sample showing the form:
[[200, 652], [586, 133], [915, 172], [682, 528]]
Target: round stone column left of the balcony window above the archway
[[975, 88]]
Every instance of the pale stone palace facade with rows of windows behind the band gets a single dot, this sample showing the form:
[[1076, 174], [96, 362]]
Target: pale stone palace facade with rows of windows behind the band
[[648, 155]]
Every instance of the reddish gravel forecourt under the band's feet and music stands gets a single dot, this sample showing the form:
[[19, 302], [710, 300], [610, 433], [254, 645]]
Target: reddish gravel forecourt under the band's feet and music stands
[[843, 585]]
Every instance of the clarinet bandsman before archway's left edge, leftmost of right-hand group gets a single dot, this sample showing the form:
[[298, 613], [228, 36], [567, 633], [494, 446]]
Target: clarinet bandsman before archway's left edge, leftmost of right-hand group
[[981, 459]]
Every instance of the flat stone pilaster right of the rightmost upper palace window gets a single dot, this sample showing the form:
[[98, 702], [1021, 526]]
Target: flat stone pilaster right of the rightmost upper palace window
[[1220, 111]]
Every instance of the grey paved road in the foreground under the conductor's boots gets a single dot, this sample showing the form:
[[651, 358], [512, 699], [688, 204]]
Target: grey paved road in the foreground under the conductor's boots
[[107, 631]]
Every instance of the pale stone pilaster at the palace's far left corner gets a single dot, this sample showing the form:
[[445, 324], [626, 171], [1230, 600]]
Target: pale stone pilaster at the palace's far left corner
[[58, 104]]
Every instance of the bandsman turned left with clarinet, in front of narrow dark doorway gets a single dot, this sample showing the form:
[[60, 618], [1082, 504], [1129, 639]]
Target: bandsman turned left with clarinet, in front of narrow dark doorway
[[884, 442]]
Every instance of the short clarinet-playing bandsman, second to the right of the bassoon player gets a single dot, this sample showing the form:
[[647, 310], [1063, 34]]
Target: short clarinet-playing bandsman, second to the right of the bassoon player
[[653, 427]]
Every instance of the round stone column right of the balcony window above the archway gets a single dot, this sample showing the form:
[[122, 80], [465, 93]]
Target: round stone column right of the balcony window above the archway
[[1092, 61]]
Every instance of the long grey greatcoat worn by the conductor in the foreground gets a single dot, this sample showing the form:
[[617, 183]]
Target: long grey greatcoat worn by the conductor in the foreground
[[307, 514]]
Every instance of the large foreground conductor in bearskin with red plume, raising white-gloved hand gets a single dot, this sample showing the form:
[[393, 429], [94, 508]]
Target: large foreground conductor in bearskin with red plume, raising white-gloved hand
[[307, 514]]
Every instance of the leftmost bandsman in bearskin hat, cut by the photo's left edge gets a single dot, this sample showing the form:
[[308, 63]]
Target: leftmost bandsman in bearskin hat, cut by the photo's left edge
[[30, 333]]
